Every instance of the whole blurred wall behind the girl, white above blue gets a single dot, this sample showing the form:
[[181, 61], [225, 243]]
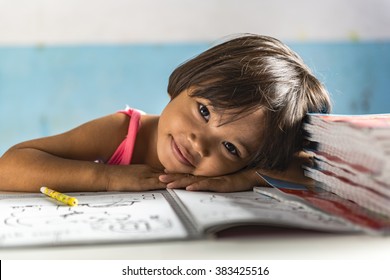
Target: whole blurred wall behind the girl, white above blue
[[64, 62]]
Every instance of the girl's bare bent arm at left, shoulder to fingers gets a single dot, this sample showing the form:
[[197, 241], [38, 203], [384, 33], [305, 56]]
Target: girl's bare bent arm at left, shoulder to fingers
[[65, 162]]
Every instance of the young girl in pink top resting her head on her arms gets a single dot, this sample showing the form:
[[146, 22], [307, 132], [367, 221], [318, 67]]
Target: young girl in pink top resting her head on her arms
[[235, 112]]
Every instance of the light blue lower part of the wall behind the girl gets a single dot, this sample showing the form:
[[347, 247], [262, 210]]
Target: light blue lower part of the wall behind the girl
[[47, 90]]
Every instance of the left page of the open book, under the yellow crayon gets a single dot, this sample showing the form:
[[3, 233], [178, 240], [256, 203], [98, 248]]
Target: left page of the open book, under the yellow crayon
[[35, 219]]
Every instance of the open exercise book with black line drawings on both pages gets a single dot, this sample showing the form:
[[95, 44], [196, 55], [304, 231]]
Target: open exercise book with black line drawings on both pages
[[35, 220]]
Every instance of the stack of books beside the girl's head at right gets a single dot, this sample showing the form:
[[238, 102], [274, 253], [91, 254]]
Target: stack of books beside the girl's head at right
[[351, 158]]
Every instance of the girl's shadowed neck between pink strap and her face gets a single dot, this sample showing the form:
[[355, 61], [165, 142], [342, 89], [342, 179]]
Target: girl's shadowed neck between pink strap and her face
[[145, 149]]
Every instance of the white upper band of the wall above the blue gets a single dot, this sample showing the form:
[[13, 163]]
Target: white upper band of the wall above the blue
[[128, 21]]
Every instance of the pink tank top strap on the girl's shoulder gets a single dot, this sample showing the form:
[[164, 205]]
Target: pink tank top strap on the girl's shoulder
[[124, 152]]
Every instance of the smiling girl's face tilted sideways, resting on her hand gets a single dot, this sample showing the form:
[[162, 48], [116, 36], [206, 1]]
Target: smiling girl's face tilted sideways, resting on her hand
[[193, 138]]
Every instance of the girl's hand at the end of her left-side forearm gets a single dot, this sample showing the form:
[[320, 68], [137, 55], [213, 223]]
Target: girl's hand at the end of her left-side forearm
[[133, 177]]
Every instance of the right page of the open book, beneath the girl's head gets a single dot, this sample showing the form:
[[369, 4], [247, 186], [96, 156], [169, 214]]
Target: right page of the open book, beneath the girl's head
[[219, 210]]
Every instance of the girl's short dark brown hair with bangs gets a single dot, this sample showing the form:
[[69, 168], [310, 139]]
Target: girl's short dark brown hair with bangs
[[254, 72]]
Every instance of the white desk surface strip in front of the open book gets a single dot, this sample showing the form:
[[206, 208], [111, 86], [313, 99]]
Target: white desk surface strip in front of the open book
[[315, 246]]
